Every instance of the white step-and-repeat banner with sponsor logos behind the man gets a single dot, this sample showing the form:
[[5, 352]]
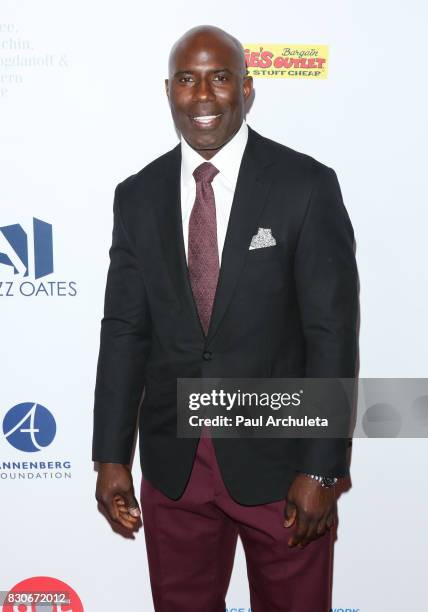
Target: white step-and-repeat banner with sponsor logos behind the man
[[82, 106]]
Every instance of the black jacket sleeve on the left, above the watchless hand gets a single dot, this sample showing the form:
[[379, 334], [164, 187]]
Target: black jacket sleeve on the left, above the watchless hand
[[124, 347]]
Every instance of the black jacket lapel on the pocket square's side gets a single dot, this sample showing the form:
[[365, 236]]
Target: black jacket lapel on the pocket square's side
[[248, 203]]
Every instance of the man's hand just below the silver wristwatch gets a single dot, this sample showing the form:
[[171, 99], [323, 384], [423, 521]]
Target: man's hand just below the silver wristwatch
[[312, 507]]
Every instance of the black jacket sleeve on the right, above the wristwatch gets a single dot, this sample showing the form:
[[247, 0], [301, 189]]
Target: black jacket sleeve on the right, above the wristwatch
[[327, 289]]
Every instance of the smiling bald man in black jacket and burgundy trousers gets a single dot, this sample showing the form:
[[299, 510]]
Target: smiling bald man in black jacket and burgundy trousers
[[188, 295]]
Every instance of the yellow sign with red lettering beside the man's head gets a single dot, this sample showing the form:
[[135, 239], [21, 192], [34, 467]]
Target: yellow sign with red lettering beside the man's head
[[287, 61]]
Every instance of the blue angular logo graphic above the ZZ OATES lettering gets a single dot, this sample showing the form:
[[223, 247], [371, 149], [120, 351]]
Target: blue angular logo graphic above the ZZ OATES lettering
[[17, 246]]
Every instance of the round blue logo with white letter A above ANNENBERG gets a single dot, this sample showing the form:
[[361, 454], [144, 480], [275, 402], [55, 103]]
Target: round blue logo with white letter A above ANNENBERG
[[29, 427]]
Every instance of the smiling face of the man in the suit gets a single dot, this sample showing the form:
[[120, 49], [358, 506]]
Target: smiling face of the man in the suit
[[207, 90]]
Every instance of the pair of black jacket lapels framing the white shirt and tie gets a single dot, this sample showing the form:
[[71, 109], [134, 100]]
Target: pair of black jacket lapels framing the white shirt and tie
[[248, 203]]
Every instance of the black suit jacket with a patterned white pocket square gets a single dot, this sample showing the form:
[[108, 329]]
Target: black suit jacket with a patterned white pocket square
[[285, 311]]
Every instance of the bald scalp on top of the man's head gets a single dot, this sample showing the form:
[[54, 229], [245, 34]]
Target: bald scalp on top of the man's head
[[208, 36]]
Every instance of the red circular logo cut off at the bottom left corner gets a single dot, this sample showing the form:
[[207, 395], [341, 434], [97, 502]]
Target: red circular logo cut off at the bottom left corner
[[42, 593]]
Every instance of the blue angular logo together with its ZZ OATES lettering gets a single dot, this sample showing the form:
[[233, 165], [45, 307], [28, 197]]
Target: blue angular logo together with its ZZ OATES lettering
[[26, 255]]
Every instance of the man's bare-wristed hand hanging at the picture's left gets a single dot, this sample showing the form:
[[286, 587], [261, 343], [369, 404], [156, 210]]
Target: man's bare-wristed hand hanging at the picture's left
[[115, 493]]
